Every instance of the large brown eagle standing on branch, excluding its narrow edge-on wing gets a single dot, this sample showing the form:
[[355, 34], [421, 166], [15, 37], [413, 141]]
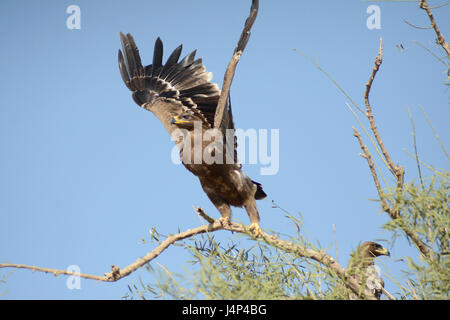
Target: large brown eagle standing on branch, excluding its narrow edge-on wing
[[181, 95]]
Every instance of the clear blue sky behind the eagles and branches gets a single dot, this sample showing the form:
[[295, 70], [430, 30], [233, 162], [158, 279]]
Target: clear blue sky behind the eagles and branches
[[85, 173]]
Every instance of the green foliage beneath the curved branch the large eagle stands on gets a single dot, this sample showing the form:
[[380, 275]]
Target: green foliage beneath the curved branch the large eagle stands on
[[231, 272]]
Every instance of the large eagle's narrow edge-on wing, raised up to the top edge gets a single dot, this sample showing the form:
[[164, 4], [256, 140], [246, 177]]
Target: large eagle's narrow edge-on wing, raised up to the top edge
[[231, 69]]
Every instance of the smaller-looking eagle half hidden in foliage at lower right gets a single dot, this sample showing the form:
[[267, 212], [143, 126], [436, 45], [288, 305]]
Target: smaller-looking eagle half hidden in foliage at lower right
[[362, 266]]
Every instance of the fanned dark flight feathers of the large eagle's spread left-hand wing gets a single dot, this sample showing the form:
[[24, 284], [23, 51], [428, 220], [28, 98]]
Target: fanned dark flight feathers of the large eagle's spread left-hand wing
[[186, 80]]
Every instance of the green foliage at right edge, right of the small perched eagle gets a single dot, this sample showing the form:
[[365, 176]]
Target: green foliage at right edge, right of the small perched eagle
[[425, 210]]
